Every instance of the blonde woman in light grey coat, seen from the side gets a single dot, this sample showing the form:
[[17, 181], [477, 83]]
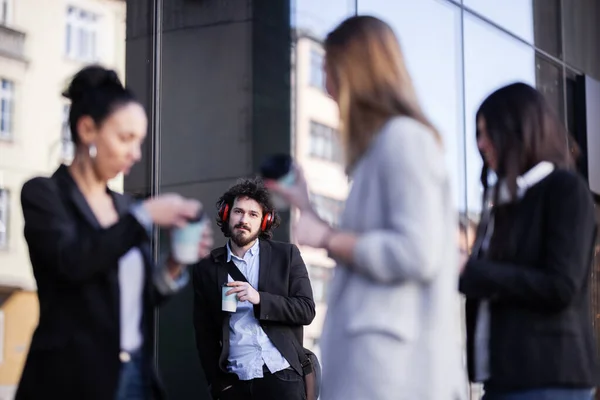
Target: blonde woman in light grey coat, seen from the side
[[392, 328]]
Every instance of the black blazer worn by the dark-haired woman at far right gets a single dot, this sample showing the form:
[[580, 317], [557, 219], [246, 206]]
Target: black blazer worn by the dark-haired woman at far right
[[536, 277]]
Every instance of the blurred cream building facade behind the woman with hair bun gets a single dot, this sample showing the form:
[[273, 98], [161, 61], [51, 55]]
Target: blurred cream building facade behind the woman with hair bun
[[41, 45]]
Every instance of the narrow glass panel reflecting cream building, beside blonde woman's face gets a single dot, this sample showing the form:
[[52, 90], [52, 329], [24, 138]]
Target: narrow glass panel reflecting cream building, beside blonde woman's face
[[315, 120]]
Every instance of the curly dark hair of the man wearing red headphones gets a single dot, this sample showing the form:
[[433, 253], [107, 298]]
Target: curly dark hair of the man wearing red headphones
[[254, 189]]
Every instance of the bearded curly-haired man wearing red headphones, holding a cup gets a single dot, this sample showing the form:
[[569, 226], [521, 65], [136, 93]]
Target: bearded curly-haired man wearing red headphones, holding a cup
[[252, 353]]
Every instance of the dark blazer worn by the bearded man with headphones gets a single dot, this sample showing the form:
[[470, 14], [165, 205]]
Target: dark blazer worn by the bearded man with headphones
[[286, 304]]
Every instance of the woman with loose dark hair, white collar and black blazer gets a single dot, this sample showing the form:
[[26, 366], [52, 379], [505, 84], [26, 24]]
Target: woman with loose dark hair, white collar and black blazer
[[529, 333]]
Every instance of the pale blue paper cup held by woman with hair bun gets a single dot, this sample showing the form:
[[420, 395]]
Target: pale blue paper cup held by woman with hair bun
[[185, 241]]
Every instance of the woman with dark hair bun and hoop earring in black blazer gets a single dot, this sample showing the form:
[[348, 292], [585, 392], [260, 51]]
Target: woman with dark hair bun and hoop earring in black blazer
[[89, 248]]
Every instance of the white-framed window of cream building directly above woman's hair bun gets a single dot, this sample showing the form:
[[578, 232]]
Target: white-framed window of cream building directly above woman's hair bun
[[81, 34]]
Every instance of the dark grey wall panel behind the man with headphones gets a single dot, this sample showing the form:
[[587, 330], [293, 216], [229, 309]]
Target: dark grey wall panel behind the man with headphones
[[222, 103]]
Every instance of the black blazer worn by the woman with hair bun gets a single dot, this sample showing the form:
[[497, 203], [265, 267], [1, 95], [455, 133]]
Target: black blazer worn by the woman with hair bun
[[74, 352]]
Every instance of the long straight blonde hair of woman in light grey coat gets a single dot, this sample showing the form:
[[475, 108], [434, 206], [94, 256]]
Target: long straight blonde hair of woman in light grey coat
[[365, 63]]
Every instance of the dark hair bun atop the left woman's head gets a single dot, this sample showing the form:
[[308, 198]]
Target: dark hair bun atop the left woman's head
[[91, 79]]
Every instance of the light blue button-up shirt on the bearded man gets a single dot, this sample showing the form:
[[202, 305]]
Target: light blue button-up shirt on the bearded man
[[249, 346]]
